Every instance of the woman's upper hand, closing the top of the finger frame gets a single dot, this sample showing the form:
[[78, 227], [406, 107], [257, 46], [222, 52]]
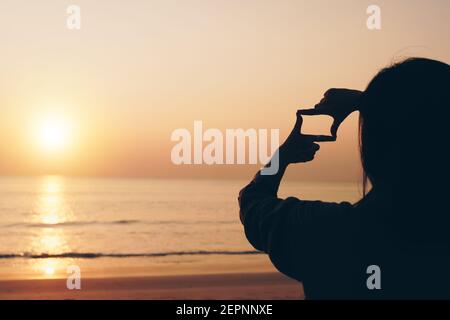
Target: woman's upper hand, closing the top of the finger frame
[[337, 103]]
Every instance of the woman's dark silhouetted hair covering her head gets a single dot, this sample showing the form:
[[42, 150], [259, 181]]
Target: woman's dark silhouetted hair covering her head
[[404, 122]]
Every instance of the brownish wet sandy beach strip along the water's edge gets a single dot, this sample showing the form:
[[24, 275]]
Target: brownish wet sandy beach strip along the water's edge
[[192, 287]]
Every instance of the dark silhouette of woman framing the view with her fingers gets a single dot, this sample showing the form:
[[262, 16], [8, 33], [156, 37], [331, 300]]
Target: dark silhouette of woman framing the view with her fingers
[[400, 228]]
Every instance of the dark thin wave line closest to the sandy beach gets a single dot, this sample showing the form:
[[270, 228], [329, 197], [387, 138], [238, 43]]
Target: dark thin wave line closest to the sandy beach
[[90, 255]]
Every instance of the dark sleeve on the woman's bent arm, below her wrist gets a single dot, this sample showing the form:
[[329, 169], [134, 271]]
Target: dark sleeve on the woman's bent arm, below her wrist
[[287, 229]]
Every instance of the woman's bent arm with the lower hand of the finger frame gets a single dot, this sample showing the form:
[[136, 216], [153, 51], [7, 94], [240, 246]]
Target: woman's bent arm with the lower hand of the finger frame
[[271, 224]]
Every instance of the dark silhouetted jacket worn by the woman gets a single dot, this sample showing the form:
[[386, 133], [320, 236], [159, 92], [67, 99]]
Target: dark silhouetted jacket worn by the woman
[[329, 246]]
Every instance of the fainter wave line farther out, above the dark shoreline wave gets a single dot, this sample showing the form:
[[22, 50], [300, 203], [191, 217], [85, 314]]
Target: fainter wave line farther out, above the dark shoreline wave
[[116, 222]]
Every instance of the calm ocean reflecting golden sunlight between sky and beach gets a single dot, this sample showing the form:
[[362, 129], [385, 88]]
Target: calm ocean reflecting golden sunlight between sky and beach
[[130, 226]]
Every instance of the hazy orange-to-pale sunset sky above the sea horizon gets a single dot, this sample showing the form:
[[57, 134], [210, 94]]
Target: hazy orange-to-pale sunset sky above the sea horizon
[[137, 70]]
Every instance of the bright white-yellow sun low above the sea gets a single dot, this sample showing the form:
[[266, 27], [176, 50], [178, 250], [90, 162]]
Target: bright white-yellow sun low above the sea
[[53, 133]]
